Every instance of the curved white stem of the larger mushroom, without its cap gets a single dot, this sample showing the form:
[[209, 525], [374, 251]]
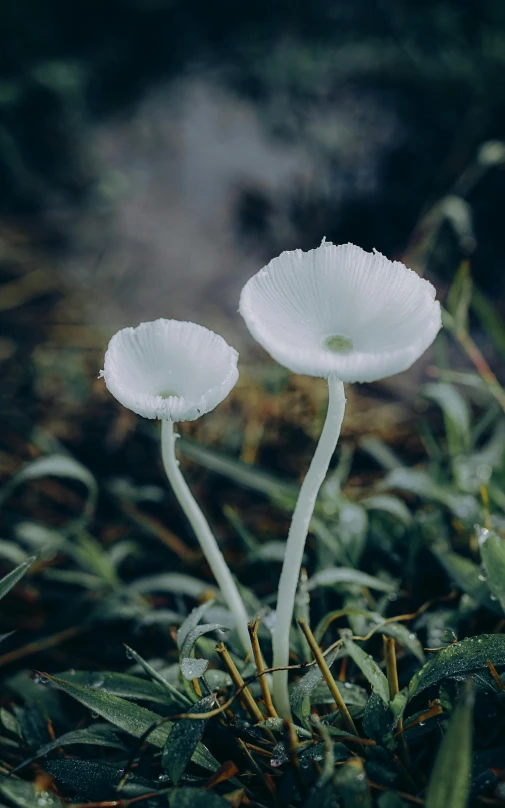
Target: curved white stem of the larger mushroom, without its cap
[[296, 541]]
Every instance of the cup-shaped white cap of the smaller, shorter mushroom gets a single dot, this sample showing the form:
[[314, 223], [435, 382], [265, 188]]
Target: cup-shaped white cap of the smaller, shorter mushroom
[[169, 369]]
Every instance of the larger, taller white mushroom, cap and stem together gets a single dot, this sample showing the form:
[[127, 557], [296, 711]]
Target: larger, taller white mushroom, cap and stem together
[[340, 313]]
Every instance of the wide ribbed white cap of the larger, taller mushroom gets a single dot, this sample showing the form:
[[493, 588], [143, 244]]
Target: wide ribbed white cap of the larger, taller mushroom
[[338, 310]]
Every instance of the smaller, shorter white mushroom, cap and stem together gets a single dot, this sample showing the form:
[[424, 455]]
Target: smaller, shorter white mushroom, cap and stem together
[[177, 371]]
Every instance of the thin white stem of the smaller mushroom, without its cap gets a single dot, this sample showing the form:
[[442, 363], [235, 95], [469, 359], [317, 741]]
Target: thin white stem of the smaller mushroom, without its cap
[[204, 535]]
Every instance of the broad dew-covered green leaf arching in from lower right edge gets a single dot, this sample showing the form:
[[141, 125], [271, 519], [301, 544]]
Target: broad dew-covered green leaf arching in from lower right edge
[[459, 660]]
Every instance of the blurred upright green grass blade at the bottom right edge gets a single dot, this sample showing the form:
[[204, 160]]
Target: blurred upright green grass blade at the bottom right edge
[[449, 784]]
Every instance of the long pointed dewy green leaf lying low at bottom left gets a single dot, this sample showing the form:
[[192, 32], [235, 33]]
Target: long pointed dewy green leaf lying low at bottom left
[[130, 717]]
